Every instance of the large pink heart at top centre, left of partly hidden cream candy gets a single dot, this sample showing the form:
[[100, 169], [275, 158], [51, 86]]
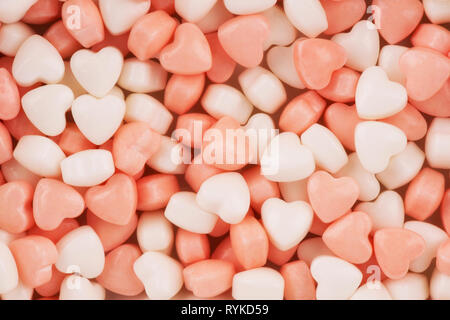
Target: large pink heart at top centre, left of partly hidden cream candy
[[243, 39]]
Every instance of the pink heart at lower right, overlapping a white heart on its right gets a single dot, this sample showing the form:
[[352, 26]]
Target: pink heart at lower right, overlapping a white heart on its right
[[395, 248]]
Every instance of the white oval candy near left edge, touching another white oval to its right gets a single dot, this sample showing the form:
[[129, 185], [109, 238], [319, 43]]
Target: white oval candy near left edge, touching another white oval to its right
[[40, 155]]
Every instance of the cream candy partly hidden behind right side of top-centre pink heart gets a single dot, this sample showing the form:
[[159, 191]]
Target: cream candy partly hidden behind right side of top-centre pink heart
[[282, 32]]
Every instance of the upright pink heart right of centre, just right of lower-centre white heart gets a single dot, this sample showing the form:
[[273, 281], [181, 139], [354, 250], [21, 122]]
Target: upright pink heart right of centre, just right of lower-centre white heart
[[342, 194]]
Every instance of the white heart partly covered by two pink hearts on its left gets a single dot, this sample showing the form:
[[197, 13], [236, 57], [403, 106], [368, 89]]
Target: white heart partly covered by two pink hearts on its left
[[385, 212]]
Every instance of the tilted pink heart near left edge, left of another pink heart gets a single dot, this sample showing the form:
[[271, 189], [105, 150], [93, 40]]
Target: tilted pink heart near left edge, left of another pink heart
[[53, 201]]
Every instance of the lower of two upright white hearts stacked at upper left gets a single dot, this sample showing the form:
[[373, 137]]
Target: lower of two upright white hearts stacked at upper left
[[98, 119]]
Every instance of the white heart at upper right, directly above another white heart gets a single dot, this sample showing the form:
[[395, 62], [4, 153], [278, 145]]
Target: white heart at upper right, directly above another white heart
[[377, 97]]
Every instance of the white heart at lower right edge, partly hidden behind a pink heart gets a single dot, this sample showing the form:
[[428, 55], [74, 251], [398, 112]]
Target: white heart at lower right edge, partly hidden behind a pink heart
[[433, 237]]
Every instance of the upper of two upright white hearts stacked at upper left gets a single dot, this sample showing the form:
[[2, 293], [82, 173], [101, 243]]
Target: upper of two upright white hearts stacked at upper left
[[97, 72]]
